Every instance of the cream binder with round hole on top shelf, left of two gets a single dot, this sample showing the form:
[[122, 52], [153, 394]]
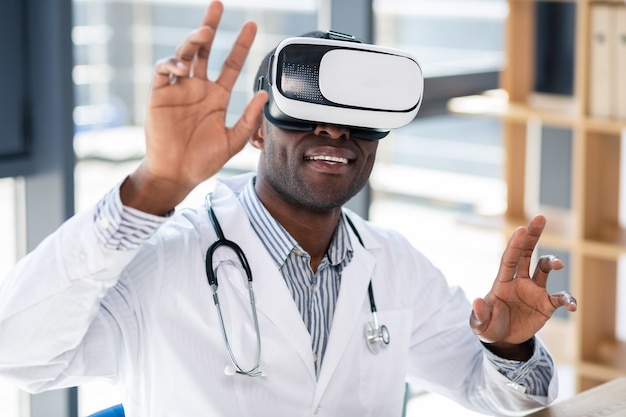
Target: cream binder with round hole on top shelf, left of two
[[601, 65]]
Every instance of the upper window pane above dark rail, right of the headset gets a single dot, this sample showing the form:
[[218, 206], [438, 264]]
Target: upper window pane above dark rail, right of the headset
[[447, 36]]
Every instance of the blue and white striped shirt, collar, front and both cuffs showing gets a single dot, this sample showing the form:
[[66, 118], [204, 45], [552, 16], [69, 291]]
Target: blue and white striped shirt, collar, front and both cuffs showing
[[315, 294]]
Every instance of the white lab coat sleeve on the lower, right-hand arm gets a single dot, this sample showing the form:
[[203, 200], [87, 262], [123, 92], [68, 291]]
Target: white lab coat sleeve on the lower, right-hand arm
[[445, 355]]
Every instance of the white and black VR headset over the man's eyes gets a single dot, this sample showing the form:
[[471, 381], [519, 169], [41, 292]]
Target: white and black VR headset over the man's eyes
[[338, 80]]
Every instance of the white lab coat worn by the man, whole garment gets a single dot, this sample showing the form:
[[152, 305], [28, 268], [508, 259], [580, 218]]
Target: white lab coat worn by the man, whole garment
[[73, 311]]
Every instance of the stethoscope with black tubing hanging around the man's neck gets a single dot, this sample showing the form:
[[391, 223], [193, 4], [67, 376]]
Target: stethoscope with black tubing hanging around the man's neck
[[376, 335]]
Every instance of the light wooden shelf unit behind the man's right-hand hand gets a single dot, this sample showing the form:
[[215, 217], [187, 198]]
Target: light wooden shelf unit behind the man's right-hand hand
[[589, 230]]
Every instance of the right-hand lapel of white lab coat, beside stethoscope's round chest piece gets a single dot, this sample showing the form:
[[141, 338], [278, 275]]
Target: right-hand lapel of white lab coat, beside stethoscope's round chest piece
[[352, 302]]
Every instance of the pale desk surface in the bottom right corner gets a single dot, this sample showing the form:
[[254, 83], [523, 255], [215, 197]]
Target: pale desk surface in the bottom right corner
[[606, 400]]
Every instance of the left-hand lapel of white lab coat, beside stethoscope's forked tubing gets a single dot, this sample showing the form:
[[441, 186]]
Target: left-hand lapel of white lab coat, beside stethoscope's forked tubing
[[273, 299]]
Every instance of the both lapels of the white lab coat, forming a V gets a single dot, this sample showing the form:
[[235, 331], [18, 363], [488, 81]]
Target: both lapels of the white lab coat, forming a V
[[272, 296]]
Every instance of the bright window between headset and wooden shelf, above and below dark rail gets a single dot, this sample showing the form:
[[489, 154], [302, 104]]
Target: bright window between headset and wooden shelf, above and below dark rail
[[445, 169]]
